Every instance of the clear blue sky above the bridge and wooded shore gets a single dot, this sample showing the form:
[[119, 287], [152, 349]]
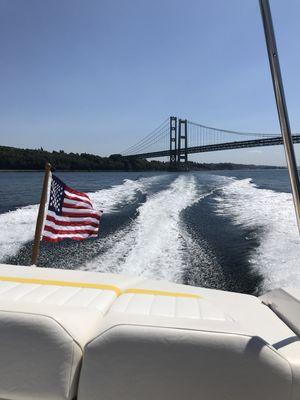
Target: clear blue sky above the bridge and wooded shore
[[97, 75]]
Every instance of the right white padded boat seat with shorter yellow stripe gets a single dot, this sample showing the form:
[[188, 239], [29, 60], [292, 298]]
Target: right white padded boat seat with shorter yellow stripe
[[166, 341]]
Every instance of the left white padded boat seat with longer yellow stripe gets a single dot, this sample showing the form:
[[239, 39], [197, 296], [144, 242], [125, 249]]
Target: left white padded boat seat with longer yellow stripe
[[46, 318]]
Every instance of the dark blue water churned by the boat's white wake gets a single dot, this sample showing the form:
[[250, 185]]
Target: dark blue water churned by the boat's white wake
[[231, 230]]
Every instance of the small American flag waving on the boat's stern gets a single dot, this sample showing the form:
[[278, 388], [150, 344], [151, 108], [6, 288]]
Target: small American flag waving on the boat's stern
[[70, 214]]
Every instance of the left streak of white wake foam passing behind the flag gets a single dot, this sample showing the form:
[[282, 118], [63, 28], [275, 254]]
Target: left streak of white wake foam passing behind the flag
[[17, 227]]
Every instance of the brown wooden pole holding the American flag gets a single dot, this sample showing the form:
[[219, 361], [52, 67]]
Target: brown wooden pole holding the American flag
[[41, 215]]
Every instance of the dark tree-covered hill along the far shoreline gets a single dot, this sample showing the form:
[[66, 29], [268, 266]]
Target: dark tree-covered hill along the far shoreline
[[12, 158]]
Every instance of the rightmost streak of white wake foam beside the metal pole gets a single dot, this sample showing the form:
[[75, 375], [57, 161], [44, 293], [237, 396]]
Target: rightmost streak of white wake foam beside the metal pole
[[278, 255]]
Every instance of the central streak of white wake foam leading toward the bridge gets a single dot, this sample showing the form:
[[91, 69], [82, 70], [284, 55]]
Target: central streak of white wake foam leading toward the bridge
[[153, 245]]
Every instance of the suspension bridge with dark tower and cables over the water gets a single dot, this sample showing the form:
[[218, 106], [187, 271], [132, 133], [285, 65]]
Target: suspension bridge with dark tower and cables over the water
[[175, 138]]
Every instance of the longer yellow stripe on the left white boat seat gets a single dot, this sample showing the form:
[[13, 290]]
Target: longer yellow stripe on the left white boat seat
[[62, 283]]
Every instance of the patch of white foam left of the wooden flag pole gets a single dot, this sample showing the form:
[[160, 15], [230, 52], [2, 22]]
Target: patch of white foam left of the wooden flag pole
[[16, 228]]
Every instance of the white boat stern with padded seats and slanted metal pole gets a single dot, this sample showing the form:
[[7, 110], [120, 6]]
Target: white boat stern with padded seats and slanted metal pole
[[71, 334]]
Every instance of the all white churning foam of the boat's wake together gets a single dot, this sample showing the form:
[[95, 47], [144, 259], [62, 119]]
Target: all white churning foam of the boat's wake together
[[156, 243]]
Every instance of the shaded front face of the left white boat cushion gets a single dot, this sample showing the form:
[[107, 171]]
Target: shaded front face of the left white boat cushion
[[38, 358]]
